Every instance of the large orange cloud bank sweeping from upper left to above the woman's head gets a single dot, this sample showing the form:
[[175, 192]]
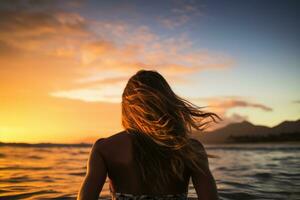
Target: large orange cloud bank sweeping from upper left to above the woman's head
[[55, 48]]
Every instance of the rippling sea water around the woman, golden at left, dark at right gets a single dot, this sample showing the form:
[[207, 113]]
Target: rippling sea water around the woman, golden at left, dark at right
[[265, 171]]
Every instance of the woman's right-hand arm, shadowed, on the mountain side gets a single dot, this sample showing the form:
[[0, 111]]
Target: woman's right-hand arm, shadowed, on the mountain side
[[203, 181]]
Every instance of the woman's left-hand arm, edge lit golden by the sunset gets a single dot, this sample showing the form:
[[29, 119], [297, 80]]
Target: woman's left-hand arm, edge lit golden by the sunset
[[96, 174]]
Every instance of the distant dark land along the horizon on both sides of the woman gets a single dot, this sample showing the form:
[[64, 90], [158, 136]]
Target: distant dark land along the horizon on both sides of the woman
[[235, 133]]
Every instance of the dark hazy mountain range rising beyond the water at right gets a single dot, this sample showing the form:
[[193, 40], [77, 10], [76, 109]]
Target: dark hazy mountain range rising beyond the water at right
[[246, 131]]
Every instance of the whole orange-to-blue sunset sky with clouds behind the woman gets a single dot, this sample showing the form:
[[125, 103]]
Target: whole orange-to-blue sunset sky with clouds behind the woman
[[64, 64]]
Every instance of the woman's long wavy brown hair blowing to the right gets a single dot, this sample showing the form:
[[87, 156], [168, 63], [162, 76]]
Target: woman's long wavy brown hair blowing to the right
[[162, 123]]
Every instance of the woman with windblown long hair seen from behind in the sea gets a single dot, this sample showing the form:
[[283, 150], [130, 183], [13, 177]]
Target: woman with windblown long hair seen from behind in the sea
[[154, 157]]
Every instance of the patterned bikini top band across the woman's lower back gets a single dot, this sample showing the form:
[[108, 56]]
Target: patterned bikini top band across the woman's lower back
[[123, 196]]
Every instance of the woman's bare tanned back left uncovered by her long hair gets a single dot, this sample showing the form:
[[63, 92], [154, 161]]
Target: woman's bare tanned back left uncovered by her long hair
[[117, 151]]
